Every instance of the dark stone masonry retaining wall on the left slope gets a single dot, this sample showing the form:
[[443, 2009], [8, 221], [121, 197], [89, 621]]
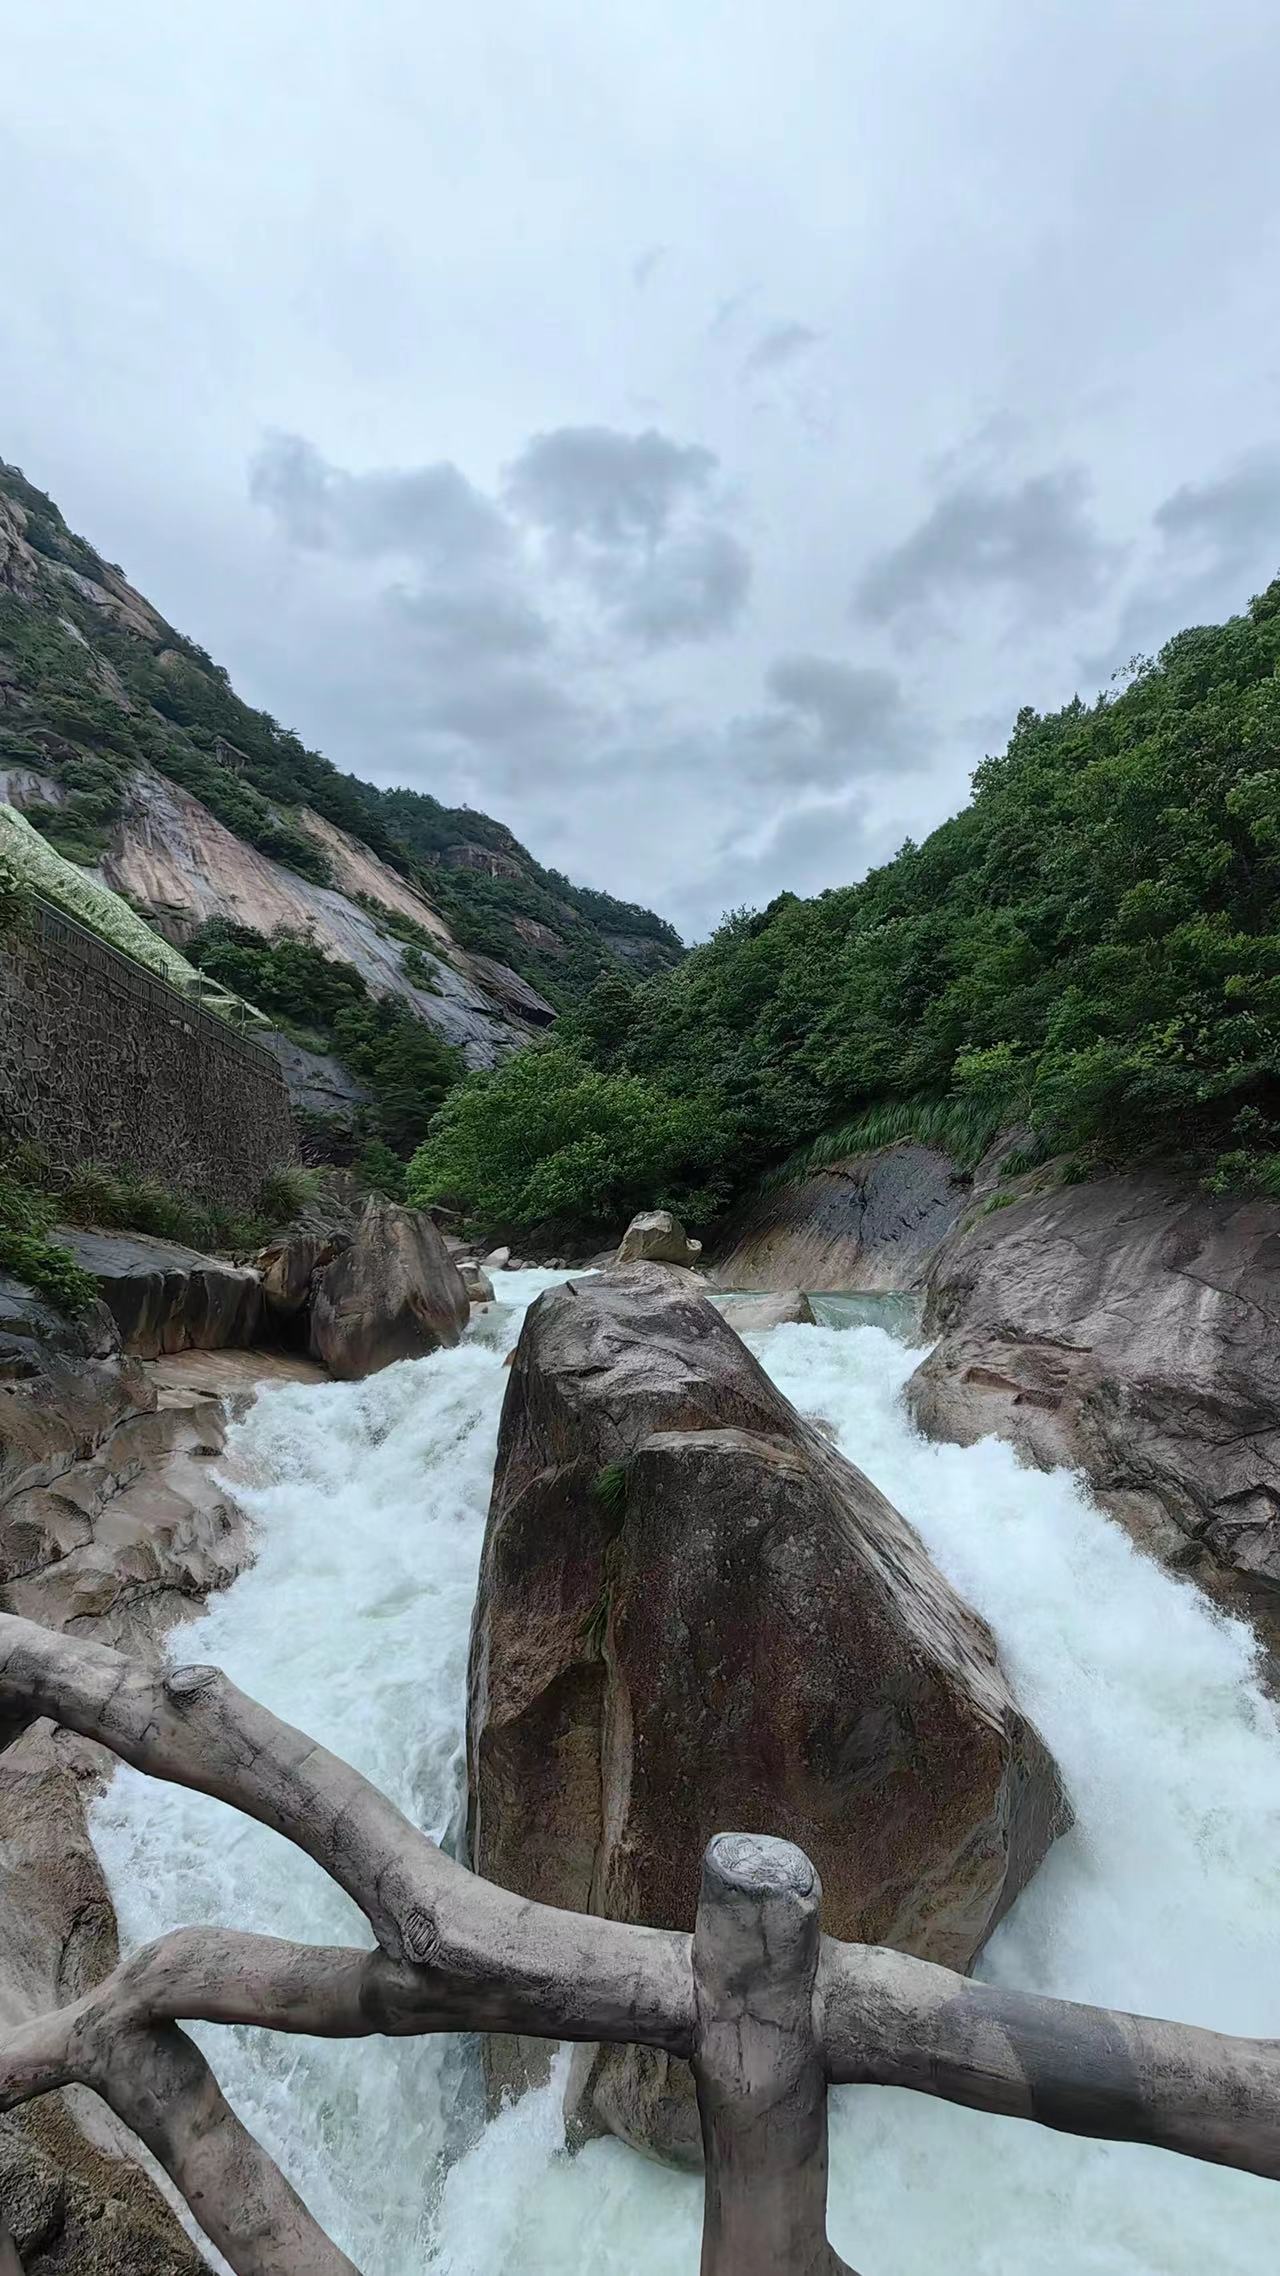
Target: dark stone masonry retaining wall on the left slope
[[101, 1062]]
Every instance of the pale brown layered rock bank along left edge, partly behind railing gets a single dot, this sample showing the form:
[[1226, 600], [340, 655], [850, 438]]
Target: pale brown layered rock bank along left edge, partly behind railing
[[110, 1522]]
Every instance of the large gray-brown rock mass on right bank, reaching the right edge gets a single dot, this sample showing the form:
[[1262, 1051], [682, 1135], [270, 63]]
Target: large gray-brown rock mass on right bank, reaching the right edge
[[1129, 1328]]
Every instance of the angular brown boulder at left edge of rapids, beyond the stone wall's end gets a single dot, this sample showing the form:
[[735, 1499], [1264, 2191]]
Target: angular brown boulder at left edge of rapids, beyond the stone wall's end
[[395, 1294]]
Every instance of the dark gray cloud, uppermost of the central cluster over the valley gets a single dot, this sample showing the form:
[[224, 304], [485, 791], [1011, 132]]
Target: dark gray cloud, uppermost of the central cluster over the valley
[[607, 488]]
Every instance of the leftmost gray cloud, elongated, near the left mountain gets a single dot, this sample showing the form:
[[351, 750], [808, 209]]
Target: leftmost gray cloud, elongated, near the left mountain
[[425, 513]]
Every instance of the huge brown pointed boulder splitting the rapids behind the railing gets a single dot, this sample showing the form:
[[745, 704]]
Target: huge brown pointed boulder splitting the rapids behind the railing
[[694, 1613]]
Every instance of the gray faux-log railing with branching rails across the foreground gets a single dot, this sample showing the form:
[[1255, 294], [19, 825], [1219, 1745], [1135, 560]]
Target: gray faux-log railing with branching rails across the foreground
[[760, 2002]]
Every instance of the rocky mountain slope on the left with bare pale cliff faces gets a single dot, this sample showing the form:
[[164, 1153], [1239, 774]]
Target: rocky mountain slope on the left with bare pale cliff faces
[[131, 752]]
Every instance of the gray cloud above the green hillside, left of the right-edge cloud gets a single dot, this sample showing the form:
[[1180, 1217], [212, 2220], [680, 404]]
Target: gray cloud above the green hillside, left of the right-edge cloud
[[1035, 541]]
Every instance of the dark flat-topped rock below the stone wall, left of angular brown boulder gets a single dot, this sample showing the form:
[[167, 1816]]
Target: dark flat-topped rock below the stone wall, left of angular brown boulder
[[165, 1296]]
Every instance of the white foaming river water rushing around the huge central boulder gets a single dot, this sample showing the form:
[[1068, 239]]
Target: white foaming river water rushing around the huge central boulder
[[354, 1624]]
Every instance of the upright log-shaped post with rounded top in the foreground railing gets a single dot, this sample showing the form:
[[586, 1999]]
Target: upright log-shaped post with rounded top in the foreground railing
[[762, 2079]]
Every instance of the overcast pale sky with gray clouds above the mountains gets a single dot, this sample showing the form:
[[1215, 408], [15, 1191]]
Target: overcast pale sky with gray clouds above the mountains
[[682, 429]]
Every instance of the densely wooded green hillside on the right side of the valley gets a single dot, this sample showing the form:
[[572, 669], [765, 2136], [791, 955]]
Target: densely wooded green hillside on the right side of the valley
[[1090, 950]]
